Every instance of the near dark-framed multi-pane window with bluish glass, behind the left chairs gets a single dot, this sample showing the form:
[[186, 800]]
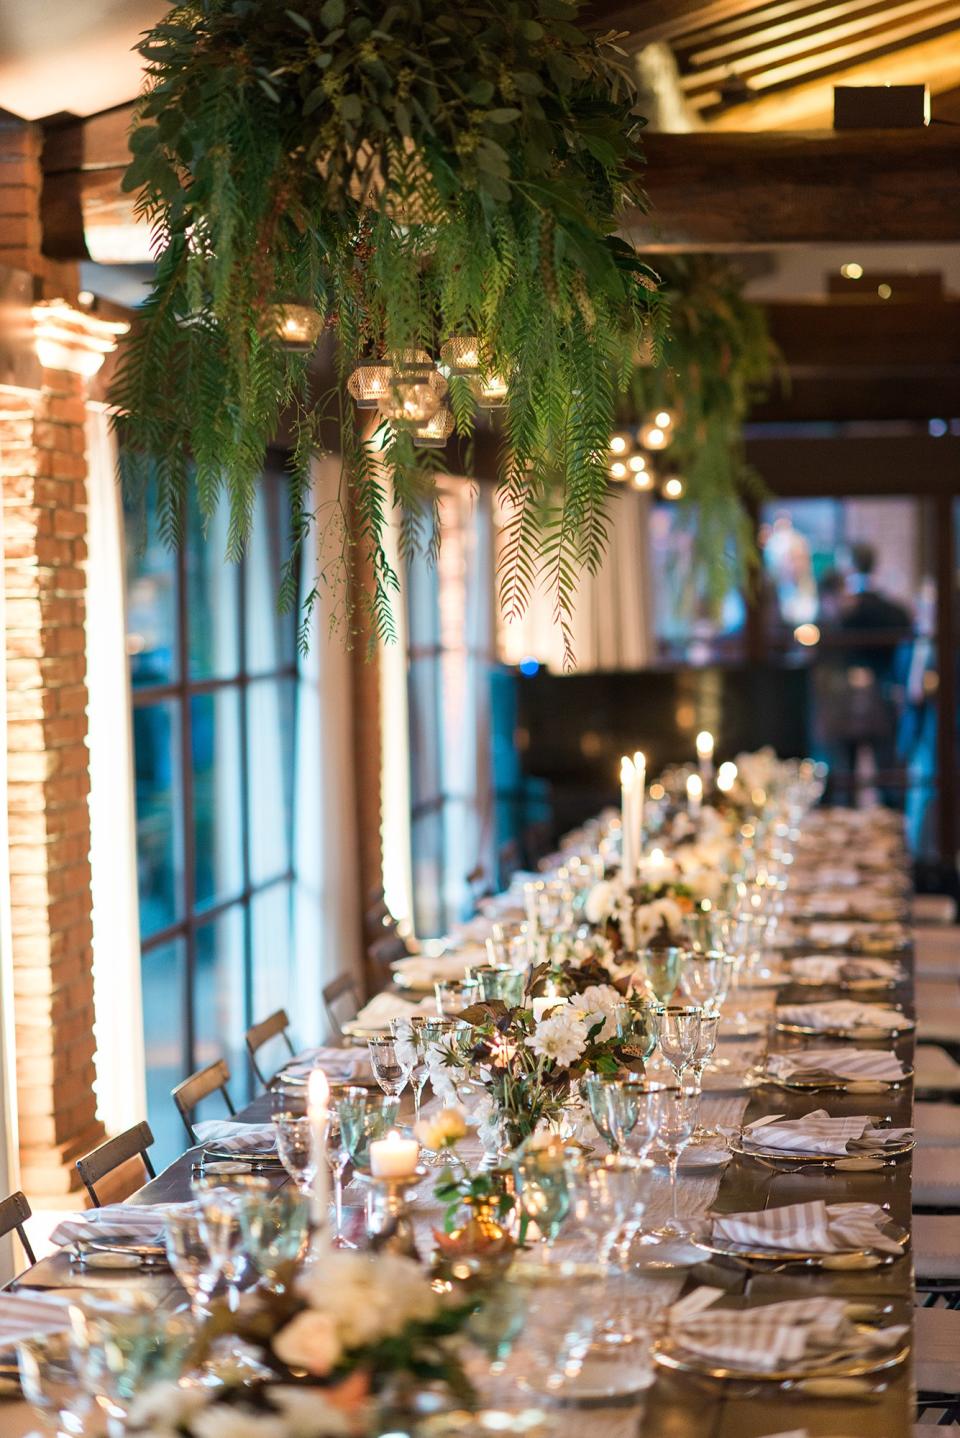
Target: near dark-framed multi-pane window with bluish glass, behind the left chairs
[[215, 684]]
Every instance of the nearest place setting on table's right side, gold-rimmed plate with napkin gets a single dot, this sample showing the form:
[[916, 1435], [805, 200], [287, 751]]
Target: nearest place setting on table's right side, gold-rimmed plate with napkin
[[795, 1339]]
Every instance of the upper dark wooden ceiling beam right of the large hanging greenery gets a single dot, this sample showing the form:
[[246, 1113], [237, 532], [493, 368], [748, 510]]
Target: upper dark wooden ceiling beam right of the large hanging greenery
[[722, 192]]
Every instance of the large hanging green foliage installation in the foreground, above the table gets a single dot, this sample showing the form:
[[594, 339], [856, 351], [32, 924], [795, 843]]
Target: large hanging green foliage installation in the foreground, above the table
[[412, 170]]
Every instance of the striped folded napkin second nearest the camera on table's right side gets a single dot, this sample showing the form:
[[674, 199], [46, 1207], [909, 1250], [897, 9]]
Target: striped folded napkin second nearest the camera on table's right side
[[816, 1227]]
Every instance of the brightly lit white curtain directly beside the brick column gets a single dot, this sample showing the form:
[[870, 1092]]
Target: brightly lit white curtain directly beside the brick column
[[121, 1089]]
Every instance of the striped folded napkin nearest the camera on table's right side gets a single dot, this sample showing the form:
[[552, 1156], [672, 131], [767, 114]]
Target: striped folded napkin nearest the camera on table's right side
[[781, 1335]]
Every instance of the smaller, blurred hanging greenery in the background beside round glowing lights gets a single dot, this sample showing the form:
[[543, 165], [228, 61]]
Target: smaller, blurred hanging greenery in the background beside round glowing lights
[[718, 359]]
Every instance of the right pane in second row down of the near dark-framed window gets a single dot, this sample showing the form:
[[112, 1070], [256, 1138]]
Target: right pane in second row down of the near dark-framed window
[[271, 737]]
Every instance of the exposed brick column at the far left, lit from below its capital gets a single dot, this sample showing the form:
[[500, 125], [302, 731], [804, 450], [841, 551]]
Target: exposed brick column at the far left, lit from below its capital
[[45, 520]]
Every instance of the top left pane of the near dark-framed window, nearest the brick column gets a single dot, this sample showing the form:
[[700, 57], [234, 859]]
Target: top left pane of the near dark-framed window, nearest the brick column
[[152, 606]]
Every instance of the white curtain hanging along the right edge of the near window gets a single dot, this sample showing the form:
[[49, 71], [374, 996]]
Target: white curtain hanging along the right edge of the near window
[[327, 898]]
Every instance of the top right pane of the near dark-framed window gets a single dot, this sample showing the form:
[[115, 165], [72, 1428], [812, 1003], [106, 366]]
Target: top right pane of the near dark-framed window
[[271, 638]]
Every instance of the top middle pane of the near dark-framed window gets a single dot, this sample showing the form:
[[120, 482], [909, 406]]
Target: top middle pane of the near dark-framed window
[[213, 599]]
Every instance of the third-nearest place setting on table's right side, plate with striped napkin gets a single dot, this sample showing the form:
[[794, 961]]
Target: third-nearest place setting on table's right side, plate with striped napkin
[[857, 1142]]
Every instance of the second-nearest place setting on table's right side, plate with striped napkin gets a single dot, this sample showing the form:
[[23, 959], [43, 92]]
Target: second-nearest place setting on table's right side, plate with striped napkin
[[840, 1236]]
